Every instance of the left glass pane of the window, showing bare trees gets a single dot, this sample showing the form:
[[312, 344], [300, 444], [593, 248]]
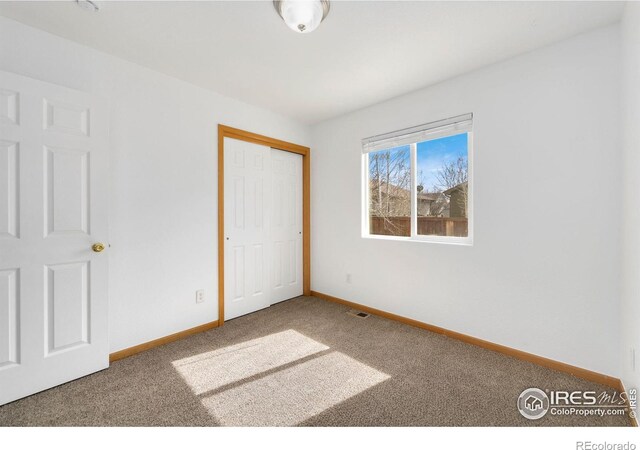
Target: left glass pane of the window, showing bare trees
[[390, 192]]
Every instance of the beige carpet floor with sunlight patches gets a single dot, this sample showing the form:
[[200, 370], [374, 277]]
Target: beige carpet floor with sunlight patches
[[304, 362]]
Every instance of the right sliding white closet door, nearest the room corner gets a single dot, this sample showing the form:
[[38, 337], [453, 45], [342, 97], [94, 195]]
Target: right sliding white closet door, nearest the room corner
[[286, 225]]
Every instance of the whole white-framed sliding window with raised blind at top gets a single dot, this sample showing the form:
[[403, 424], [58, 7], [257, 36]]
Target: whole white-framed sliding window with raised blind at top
[[418, 183]]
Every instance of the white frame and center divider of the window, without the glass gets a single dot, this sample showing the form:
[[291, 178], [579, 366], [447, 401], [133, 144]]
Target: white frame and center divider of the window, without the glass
[[415, 237]]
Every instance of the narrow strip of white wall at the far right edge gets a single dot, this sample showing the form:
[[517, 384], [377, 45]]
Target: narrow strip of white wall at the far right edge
[[630, 308]]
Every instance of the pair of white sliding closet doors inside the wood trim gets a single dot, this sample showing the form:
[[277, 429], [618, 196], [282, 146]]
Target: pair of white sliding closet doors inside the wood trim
[[262, 227]]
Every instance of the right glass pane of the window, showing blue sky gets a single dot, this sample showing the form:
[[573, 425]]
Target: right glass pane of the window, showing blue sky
[[442, 193]]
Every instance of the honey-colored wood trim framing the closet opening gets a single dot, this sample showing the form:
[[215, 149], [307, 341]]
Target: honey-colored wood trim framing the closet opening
[[235, 133]]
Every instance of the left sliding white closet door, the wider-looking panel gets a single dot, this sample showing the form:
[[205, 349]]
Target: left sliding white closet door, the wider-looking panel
[[246, 184]]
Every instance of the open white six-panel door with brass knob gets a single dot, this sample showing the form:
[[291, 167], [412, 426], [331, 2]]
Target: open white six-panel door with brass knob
[[53, 200]]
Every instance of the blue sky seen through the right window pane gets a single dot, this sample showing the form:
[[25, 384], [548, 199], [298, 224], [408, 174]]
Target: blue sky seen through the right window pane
[[433, 154]]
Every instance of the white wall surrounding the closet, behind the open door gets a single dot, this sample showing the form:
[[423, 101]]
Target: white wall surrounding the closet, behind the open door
[[163, 205]]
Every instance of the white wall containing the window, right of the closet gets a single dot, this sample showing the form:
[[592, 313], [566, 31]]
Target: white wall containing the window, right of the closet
[[543, 273]]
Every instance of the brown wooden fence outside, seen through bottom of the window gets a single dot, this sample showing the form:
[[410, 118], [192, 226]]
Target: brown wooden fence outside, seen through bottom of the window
[[434, 226]]
